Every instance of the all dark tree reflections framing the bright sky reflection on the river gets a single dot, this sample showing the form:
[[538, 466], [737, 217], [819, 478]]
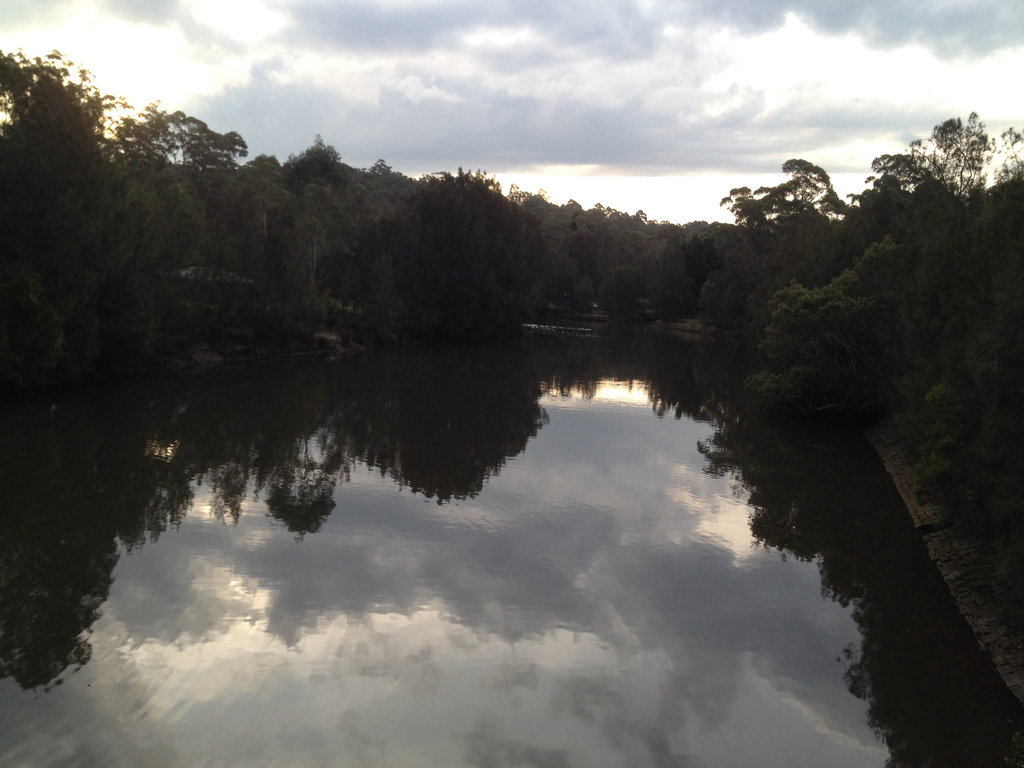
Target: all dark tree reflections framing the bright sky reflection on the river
[[111, 471]]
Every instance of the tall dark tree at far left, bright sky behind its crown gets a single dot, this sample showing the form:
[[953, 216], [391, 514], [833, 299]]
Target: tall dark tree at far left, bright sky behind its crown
[[57, 199]]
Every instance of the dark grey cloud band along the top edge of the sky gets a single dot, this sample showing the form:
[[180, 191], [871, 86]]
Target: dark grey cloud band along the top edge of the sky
[[630, 31]]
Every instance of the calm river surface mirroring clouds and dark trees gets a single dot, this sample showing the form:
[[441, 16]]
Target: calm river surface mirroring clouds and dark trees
[[573, 550]]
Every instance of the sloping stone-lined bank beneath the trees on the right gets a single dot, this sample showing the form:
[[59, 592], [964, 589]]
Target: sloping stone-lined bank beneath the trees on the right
[[966, 564]]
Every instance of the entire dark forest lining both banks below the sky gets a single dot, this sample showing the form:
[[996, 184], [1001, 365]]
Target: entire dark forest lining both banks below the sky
[[130, 239]]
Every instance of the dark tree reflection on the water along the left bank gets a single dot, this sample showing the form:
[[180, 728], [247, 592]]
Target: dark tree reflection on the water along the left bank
[[117, 466]]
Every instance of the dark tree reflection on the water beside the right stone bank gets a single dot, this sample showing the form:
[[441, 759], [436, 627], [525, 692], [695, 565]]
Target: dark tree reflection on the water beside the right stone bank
[[818, 494]]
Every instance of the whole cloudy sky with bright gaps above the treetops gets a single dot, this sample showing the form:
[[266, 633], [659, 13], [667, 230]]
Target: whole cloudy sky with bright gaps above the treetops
[[661, 106]]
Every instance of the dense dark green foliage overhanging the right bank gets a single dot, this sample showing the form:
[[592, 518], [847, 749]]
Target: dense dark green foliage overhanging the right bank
[[908, 304]]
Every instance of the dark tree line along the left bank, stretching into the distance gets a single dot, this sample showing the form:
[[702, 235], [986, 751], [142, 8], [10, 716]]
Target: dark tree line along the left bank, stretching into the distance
[[129, 239]]
